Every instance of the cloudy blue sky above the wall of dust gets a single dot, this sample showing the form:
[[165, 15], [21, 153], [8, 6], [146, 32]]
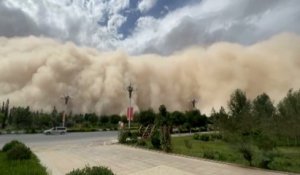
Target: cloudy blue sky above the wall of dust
[[149, 26]]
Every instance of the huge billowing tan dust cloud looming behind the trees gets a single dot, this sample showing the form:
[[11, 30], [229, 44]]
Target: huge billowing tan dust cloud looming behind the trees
[[39, 71]]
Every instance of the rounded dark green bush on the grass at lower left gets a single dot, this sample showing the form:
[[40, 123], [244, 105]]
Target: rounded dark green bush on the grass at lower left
[[19, 152]]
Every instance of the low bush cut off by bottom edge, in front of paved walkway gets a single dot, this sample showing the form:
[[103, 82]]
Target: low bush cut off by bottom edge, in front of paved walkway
[[92, 171]]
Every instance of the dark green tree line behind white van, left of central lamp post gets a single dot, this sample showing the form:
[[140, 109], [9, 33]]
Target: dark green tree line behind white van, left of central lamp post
[[23, 118]]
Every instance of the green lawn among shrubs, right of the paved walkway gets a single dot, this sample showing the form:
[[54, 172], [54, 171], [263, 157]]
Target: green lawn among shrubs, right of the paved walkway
[[286, 159]]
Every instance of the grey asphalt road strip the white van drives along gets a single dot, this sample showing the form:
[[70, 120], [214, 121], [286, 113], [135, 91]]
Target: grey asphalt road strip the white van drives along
[[41, 139]]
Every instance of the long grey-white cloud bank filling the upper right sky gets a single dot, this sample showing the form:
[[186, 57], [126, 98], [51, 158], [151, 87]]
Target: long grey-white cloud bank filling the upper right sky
[[212, 21]]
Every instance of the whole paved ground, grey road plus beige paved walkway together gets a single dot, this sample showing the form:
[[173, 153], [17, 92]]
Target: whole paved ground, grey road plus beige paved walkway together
[[63, 153]]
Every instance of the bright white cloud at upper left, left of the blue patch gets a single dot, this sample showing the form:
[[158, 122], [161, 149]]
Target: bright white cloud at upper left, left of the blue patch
[[76, 21]]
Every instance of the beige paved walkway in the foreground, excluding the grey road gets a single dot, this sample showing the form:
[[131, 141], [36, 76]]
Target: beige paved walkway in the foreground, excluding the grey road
[[124, 160]]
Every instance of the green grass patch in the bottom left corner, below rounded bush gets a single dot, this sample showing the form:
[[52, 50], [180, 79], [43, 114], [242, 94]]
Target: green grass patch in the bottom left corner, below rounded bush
[[21, 167]]
